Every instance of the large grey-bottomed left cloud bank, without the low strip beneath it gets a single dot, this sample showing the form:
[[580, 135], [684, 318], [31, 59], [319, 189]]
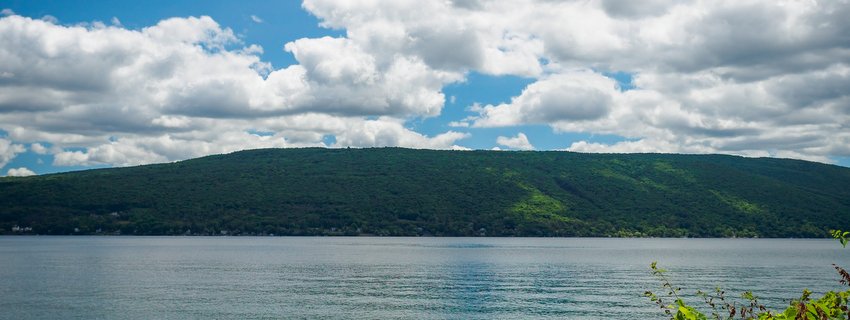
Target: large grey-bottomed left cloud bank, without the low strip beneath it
[[184, 67]]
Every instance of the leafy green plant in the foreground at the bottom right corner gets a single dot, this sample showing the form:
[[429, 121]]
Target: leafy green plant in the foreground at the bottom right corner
[[832, 305]]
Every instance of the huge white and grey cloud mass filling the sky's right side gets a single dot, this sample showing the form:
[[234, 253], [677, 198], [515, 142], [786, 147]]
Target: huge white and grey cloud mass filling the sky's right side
[[697, 88]]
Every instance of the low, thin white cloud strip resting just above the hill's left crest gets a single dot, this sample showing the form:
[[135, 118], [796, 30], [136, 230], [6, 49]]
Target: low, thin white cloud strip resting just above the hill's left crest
[[291, 131]]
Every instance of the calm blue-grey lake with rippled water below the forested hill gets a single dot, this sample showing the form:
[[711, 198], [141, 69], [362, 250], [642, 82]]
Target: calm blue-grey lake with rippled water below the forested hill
[[388, 278]]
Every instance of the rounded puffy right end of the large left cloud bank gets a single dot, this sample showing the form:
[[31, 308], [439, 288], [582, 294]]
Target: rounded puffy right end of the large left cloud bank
[[340, 77]]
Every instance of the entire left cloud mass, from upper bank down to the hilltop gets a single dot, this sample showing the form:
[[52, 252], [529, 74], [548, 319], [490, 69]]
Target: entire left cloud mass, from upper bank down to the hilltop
[[188, 87]]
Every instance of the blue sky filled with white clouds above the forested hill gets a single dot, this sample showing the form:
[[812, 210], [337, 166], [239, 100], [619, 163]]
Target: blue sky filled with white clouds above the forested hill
[[92, 84]]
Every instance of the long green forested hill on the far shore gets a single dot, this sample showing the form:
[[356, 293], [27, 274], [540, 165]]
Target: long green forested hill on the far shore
[[393, 191]]
